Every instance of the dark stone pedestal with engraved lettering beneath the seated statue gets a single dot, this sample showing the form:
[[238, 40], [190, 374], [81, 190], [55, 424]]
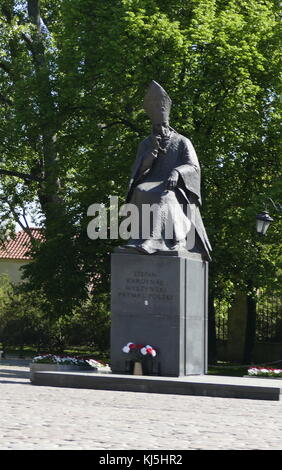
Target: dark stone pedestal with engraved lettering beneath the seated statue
[[160, 300]]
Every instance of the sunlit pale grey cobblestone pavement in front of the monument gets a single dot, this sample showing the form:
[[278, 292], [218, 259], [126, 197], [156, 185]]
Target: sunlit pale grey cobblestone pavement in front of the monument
[[48, 418]]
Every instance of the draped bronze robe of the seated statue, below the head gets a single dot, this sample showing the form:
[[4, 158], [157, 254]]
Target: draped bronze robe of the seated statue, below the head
[[148, 186]]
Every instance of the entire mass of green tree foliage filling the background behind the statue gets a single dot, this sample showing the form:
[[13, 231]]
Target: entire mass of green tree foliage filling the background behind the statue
[[71, 119]]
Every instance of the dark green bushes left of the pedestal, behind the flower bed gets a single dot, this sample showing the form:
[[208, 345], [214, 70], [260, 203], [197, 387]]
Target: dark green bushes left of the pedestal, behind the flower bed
[[25, 321]]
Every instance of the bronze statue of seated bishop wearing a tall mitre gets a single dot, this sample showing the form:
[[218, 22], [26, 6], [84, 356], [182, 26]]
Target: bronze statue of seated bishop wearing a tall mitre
[[167, 175]]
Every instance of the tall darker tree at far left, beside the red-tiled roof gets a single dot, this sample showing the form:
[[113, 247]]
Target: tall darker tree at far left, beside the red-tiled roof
[[31, 122]]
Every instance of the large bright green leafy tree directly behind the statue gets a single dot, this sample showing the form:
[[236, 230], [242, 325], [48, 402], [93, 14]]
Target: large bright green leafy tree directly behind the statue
[[220, 63]]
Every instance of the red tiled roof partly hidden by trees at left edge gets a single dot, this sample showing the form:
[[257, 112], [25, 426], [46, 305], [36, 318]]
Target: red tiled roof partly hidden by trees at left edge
[[17, 248]]
